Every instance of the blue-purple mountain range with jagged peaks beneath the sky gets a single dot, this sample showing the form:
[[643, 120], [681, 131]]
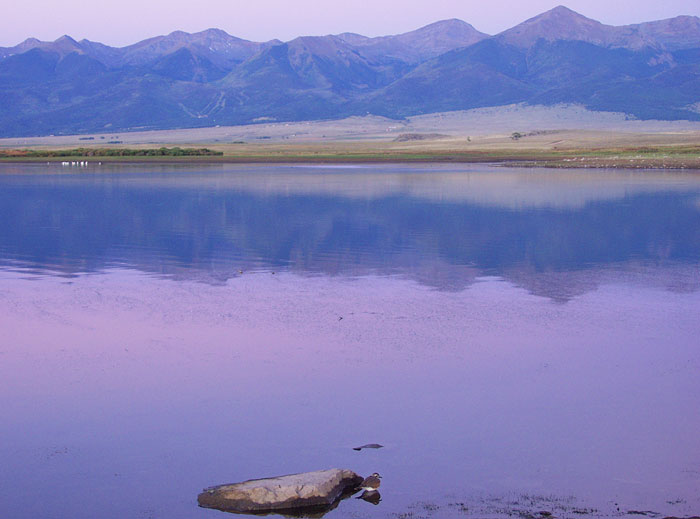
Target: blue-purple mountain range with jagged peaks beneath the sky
[[649, 71]]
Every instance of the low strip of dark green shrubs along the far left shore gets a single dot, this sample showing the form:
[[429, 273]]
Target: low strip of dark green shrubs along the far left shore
[[111, 152]]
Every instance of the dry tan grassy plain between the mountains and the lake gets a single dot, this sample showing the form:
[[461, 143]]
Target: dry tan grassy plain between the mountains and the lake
[[521, 136]]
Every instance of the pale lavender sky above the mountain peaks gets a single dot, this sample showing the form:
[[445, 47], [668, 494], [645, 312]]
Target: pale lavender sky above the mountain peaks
[[121, 22]]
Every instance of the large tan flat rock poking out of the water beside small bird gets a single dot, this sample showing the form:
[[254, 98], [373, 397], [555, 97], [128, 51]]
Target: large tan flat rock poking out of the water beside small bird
[[318, 489]]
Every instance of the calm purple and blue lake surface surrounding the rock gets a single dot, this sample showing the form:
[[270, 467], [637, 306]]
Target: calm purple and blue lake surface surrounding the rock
[[519, 340]]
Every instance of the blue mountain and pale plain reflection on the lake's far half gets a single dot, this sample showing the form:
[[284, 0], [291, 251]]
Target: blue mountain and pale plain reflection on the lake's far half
[[441, 226]]
